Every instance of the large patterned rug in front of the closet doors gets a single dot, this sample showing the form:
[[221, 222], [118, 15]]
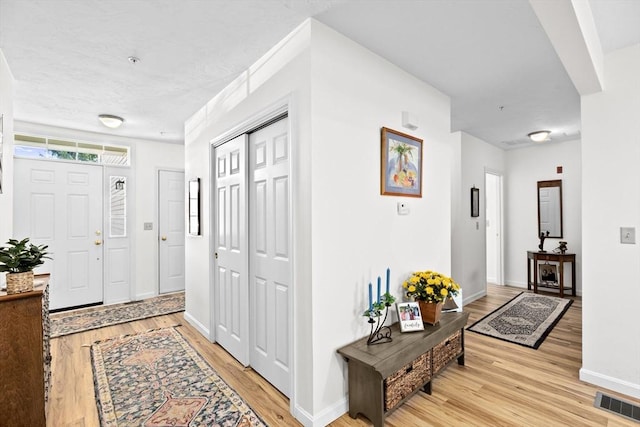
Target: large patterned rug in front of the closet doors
[[156, 378]]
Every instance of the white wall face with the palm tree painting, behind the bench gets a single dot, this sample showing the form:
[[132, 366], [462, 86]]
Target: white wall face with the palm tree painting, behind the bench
[[356, 232]]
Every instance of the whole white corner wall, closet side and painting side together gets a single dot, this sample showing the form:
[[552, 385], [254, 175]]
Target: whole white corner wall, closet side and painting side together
[[346, 233]]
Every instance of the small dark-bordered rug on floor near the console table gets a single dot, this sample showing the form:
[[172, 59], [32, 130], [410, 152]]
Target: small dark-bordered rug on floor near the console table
[[526, 320]]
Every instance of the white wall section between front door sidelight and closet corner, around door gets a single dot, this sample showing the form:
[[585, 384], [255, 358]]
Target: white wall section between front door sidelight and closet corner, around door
[[149, 157]]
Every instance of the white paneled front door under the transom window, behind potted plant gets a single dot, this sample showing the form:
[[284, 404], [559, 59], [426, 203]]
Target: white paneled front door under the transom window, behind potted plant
[[60, 205]]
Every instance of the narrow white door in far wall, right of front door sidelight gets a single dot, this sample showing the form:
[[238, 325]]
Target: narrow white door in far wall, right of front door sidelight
[[171, 220]]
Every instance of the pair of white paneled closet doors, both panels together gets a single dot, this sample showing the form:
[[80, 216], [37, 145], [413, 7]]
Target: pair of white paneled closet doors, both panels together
[[252, 281]]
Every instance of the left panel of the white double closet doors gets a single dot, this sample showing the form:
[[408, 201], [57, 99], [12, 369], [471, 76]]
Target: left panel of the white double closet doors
[[231, 295]]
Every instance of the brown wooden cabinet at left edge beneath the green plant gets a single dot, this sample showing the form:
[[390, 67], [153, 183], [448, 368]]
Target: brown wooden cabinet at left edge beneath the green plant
[[25, 357]]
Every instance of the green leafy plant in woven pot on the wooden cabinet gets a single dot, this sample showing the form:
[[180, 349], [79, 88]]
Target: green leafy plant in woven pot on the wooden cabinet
[[18, 259]]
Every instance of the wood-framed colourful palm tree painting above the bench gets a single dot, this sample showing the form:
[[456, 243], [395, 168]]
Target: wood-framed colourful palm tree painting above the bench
[[400, 164]]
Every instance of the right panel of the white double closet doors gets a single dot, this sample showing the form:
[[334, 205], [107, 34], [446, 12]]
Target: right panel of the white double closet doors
[[270, 280]]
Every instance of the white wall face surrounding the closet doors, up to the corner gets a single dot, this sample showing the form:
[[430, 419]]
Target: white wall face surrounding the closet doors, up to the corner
[[282, 76]]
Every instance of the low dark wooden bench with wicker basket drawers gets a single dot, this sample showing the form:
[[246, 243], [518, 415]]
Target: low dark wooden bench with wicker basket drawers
[[383, 376]]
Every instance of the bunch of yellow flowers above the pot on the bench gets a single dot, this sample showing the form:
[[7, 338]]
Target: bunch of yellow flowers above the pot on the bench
[[430, 286]]
